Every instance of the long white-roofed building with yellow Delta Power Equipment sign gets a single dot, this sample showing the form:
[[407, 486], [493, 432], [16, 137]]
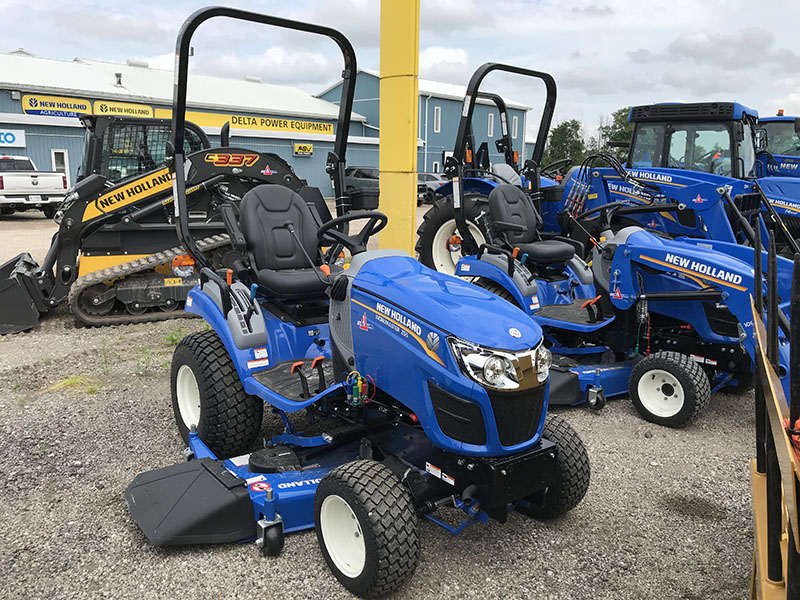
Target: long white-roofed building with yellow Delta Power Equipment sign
[[41, 98]]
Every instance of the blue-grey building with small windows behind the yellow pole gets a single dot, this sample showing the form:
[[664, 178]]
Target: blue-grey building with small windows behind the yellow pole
[[439, 113]]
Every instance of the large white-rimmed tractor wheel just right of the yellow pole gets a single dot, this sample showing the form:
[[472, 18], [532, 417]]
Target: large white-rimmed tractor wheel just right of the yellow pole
[[438, 226]]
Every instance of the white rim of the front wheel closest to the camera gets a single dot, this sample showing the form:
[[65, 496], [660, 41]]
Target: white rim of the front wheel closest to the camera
[[342, 535]]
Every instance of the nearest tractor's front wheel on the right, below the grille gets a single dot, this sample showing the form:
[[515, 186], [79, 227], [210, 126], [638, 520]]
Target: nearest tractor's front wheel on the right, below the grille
[[574, 473]]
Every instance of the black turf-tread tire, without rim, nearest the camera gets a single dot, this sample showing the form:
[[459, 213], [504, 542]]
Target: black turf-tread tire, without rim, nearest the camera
[[386, 517]]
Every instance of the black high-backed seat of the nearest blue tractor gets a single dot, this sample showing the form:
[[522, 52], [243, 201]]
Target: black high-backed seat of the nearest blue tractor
[[277, 263]]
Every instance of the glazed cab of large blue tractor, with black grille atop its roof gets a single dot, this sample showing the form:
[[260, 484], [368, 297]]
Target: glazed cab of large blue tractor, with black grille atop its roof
[[709, 137]]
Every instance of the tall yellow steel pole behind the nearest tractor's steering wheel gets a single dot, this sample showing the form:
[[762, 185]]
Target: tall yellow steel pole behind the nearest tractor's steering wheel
[[398, 122]]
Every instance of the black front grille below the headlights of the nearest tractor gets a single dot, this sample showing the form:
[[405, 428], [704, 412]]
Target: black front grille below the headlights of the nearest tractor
[[517, 414]]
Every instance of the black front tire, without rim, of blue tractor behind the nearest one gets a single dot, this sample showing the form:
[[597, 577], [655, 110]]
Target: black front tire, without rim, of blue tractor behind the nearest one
[[694, 381]]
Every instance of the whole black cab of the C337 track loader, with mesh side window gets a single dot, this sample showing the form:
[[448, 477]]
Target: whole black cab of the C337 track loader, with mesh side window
[[121, 147]]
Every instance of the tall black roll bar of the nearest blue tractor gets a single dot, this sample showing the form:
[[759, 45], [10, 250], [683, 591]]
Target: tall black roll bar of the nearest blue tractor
[[336, 159]]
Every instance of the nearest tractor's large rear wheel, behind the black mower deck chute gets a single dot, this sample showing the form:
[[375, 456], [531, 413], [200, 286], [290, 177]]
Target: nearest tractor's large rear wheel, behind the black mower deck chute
[[207, 392]]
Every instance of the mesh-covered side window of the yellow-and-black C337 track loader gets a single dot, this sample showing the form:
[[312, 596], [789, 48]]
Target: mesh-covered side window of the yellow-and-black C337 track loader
[[130, 149]]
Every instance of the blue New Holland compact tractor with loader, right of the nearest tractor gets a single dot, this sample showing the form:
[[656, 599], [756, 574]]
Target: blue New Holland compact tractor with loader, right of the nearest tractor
[[667, 319]]
